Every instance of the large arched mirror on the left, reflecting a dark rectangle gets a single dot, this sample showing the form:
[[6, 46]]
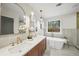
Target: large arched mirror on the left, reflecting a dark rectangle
[[12, 19]]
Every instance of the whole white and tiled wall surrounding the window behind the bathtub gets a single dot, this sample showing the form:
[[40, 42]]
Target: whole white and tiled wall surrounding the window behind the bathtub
[[68, 27]]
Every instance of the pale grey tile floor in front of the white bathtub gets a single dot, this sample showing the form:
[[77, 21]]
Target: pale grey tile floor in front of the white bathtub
[[71, 51]]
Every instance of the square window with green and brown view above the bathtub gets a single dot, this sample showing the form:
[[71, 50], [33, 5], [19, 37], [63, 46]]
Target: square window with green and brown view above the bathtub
[[54, 26]]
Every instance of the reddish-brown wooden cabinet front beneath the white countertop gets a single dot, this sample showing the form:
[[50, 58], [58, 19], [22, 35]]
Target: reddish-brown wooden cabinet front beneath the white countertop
[[38, 50]]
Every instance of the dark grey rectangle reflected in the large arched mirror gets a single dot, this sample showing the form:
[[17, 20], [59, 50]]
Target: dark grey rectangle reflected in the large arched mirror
[[7, 25]]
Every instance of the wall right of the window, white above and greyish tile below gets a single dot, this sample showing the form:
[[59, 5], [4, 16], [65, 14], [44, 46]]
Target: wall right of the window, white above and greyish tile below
[[69, 27]]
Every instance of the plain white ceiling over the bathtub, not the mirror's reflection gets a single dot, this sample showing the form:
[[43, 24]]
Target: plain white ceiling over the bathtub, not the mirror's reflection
[[50, 9]]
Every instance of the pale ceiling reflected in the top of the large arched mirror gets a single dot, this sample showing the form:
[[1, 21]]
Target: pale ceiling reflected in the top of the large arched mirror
[[14, 8]]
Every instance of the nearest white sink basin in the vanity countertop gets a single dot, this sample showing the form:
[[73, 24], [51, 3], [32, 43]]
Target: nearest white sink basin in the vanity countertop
[[18, 48]]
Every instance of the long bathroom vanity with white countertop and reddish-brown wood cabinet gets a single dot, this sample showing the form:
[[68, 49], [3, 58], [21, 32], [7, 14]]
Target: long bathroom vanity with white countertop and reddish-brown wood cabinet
[[34, 47]]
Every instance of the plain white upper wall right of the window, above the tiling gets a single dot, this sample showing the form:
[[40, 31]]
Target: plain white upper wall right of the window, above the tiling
[[69, 21]]
